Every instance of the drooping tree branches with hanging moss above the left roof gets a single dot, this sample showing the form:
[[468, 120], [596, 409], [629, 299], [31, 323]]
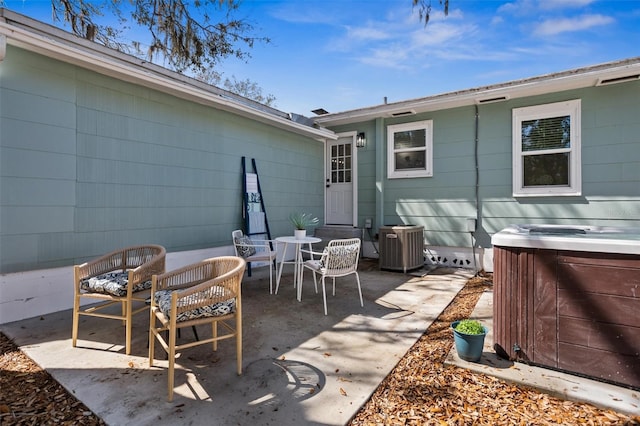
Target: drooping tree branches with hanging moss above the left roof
[[182, 33]]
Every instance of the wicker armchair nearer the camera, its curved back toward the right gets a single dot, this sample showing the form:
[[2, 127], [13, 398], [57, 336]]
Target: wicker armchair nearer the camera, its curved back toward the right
[[207, 292]]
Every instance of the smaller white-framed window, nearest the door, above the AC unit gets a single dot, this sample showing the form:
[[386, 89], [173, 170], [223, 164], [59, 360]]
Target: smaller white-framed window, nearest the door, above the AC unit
[[410, 150]]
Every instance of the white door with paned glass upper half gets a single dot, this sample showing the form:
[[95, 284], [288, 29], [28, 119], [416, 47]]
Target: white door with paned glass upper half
[[340, 179]]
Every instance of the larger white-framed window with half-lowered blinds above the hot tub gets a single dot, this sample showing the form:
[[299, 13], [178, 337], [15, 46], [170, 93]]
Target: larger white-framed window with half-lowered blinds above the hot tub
[[546, 150]]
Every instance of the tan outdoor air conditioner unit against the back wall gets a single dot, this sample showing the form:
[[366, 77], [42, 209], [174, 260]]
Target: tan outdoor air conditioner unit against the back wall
[[401, 247]]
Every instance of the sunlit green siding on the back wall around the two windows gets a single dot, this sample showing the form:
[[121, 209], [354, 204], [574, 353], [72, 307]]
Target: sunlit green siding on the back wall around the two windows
[[610, 170]]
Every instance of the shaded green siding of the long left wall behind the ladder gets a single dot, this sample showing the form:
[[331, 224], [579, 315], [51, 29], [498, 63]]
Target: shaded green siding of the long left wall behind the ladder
[[89, 164]]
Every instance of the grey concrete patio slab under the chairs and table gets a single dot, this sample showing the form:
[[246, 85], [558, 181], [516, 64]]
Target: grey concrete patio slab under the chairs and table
[[300, 366]]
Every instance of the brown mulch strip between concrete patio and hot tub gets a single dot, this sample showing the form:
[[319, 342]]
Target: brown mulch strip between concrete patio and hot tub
[[421, 390]]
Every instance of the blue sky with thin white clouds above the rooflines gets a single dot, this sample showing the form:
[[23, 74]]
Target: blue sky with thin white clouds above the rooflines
[[341, 54]]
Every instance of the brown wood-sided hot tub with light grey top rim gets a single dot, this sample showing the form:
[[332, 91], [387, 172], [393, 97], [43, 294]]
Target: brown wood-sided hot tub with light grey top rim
[[569, 298]]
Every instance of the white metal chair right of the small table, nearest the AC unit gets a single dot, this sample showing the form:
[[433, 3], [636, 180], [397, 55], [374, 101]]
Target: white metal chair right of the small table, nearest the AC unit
[[338, 259]]
